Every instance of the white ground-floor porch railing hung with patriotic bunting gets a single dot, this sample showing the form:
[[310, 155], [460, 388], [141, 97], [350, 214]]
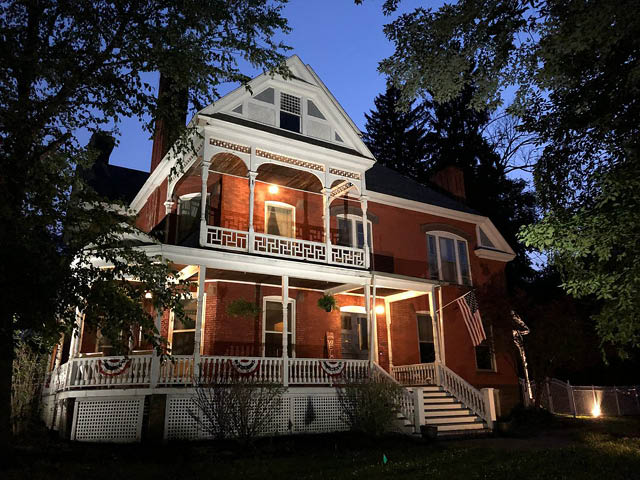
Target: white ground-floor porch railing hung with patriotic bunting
[[182, 370]]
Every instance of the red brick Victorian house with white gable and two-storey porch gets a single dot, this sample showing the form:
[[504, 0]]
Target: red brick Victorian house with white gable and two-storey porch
[[279, 204]]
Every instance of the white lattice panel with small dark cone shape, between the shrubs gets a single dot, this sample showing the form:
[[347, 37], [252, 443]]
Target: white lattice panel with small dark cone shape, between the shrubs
[[317, 414]]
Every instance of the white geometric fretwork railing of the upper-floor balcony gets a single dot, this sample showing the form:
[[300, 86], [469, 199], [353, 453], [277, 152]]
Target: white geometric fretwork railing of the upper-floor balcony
[[284, 247]]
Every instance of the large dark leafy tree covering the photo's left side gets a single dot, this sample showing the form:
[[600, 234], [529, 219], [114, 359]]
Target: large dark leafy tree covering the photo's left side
[[67, 66]]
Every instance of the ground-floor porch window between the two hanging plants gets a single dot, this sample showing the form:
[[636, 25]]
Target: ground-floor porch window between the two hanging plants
[[272, 327]]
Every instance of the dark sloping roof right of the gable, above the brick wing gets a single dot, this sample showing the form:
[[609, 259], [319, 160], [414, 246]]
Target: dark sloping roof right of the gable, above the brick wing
[[385, 180]]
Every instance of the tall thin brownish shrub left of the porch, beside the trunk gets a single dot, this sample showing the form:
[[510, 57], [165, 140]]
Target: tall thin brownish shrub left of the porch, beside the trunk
[[28, 377]]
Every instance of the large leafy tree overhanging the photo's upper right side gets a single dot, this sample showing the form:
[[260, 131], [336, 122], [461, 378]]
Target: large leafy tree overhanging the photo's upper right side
[[574, 65]]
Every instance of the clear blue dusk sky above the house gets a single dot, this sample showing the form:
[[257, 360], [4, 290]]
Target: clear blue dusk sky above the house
[[343, 43]]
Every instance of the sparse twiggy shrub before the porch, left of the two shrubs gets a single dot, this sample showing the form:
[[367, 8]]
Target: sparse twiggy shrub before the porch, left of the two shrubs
[[239, 408]]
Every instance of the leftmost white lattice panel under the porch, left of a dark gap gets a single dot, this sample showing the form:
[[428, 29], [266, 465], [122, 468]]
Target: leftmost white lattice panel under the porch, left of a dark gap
[[109, 420]]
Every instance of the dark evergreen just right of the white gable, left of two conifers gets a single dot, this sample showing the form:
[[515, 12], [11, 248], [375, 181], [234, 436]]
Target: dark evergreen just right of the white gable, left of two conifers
[[396, 137]]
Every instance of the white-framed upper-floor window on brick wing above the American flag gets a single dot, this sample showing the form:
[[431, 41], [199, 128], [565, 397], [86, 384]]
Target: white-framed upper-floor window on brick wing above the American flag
[[448, 259]]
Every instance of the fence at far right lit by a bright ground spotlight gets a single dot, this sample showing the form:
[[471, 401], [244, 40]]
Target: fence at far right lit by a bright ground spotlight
[[564, 398]]
